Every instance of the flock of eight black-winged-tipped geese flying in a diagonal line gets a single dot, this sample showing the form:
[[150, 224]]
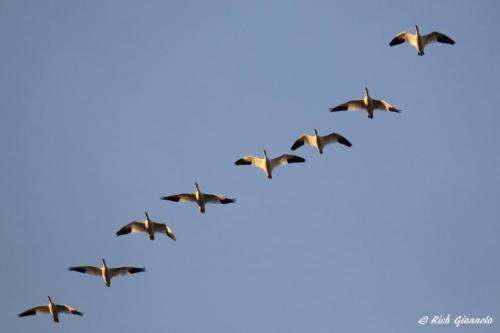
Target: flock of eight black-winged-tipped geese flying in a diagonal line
[[267, 164]]
